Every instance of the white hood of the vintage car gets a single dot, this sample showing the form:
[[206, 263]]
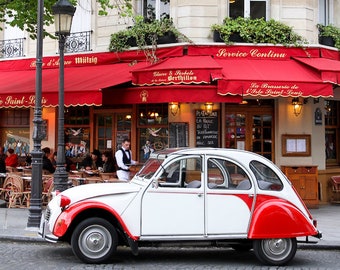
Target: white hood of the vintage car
[[100, 190]]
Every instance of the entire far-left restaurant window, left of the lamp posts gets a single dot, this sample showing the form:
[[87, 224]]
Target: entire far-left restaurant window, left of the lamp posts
[[15, 130]]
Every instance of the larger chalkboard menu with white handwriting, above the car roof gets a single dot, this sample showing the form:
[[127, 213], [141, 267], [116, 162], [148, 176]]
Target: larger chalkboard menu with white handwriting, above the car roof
[[206, 129]]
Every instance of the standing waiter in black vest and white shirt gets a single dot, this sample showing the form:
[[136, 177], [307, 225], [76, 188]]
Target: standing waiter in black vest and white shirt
[[124, 160]]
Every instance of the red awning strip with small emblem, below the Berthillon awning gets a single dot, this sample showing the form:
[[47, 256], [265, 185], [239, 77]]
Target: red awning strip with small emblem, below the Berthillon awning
[[167, 93]]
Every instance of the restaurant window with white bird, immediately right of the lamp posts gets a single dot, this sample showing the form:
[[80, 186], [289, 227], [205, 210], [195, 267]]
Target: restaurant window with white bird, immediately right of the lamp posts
[[77, 131]]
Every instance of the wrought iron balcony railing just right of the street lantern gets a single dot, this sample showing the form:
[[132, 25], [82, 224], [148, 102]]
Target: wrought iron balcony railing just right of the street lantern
[[78, 42]]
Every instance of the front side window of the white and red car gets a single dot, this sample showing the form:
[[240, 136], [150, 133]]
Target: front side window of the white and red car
[[182, 173]]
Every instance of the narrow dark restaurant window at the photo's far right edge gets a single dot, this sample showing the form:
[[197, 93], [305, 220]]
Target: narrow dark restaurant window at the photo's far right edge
[[332, 128]]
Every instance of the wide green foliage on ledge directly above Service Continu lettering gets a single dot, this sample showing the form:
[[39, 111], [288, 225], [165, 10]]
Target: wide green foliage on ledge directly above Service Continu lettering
[[258, 31]]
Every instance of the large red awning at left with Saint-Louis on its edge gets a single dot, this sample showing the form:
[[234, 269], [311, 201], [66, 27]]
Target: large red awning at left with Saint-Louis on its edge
[[83, 85]]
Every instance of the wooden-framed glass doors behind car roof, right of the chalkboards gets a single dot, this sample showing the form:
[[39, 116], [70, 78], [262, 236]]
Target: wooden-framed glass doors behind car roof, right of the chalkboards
[[250, 127]]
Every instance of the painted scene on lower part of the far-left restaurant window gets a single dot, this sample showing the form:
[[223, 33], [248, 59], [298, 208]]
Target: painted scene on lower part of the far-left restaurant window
[[17, 139]]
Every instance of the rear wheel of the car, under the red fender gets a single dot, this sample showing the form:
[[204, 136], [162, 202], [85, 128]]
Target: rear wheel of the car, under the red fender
[[275, 251]]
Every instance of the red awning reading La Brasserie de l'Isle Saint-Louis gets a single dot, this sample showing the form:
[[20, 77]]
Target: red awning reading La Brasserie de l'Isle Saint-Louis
[[270, 78]]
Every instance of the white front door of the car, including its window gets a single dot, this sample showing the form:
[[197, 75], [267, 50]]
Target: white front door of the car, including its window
[[175, 207]]
